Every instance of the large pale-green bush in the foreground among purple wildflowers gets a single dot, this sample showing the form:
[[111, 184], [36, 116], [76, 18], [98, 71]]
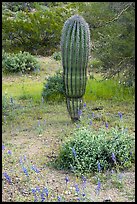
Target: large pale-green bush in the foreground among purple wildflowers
[[92, 147]]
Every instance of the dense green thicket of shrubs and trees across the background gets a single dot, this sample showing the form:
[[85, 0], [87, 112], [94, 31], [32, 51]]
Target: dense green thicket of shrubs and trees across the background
[[36, 28]]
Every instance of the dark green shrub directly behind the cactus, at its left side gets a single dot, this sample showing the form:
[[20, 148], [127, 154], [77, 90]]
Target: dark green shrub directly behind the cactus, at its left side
[[53, 87]]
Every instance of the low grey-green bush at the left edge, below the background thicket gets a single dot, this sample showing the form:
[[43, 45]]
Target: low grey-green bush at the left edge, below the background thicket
[[21, 62]]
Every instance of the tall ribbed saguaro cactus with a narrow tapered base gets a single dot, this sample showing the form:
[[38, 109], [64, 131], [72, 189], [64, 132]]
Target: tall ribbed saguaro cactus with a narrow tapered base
[[75, 43]]
